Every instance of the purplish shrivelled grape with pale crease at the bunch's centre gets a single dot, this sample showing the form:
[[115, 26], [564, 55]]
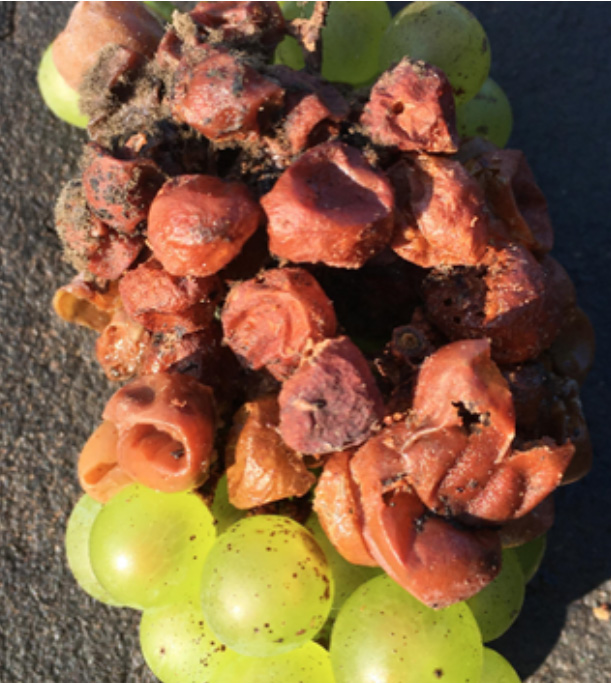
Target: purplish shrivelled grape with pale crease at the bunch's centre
[[331, 402]]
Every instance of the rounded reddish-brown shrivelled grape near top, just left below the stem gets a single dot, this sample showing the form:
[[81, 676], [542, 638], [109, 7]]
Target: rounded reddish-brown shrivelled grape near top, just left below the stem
[[221, 97]]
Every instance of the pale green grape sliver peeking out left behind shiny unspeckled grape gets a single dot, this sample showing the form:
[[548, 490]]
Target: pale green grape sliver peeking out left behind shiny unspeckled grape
[[78, 529]]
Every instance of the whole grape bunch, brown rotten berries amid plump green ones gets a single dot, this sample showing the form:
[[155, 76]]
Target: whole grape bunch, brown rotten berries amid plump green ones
[[314, 270]]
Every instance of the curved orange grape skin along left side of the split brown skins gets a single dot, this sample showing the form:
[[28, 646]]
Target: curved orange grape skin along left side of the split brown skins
[[337, 506]]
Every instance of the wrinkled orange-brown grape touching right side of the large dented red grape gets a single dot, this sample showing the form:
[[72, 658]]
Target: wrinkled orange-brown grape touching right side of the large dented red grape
[[444, 222]]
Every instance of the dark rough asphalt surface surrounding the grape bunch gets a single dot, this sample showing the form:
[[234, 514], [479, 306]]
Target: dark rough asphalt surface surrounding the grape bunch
[[553, 61]]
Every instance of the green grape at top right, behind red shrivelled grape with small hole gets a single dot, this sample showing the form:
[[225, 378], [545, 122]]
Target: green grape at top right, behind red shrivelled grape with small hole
[[444, 34]]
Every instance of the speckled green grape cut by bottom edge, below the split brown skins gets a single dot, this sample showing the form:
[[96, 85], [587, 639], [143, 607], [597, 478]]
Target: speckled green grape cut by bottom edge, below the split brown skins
[[384, 634]]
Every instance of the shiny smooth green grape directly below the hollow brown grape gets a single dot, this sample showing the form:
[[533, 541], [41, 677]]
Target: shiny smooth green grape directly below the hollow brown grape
[[148, 548]]
